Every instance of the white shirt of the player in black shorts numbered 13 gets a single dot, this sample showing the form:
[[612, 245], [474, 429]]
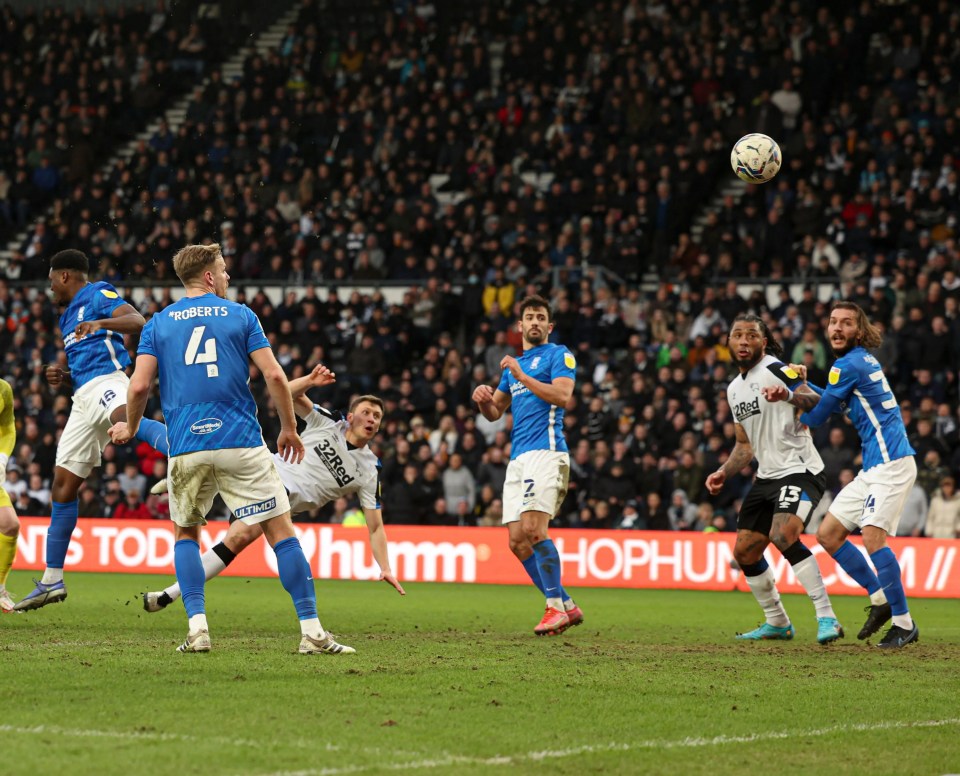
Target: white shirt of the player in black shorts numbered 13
[[781, 444]]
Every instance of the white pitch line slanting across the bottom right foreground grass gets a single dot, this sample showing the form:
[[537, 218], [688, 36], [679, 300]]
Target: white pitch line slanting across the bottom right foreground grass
[[445, 761]]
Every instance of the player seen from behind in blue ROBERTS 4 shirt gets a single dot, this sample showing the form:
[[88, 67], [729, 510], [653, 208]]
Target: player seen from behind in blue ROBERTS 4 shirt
[[200, 348]]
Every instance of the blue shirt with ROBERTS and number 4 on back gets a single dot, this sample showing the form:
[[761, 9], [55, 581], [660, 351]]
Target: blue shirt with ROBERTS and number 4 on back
[[202, 345]]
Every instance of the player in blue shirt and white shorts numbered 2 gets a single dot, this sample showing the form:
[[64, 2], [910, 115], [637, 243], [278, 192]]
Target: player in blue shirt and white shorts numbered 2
[[538, 385]]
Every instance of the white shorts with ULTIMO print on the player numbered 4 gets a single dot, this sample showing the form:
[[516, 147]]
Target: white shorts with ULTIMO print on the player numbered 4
[[245, 478]]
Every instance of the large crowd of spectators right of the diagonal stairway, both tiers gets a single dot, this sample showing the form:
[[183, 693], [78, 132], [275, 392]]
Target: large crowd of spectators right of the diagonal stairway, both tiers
[[567, 136]]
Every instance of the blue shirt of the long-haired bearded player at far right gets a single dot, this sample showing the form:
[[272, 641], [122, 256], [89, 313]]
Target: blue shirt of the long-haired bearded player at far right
[[856, 381]]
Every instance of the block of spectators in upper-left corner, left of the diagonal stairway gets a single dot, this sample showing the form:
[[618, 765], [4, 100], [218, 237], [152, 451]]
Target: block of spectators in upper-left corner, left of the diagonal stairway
[[73, 86]]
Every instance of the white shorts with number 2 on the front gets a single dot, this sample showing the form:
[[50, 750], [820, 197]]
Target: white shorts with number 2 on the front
[[536, 482]]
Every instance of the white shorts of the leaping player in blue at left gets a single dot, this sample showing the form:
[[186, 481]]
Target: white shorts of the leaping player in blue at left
[[81, 445]]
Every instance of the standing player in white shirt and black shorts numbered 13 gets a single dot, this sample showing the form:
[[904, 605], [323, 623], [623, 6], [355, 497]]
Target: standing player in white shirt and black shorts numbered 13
[[789, 483]]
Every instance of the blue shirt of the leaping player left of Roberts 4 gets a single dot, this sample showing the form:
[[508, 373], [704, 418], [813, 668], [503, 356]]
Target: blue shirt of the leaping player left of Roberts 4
[[100, 353]]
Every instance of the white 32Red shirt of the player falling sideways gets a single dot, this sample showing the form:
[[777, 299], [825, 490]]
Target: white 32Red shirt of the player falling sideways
[[331, 467]]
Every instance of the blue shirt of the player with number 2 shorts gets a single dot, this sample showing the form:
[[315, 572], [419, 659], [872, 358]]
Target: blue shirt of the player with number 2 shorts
[[538, 424]]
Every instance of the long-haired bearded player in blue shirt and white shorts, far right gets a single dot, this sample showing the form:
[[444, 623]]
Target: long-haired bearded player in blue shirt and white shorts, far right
[[874, 500]]
